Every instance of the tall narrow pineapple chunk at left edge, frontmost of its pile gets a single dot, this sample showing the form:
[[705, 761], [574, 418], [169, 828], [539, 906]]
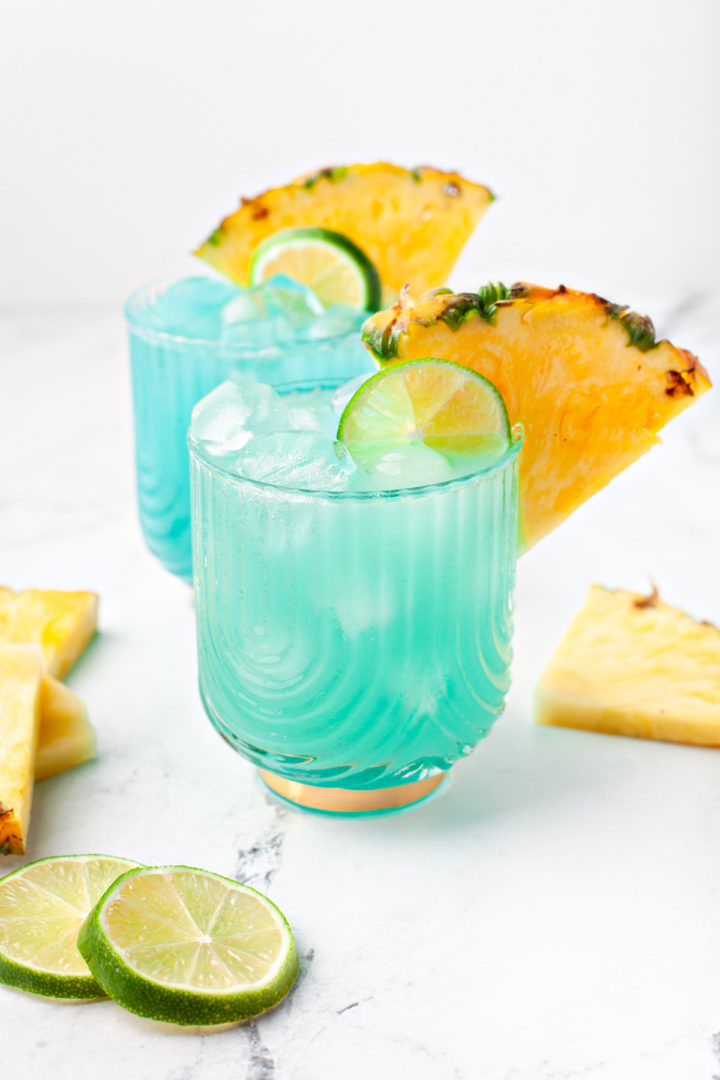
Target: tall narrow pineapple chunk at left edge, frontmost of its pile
[[21, 679]]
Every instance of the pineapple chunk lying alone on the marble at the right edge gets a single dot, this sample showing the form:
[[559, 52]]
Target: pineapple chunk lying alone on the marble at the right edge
[[632, 666]]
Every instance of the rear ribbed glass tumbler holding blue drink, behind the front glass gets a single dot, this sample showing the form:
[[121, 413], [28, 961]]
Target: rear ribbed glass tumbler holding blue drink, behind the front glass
[[170, 375]]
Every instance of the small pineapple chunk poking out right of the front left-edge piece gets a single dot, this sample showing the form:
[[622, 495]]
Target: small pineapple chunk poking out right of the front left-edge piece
[[66, 737]]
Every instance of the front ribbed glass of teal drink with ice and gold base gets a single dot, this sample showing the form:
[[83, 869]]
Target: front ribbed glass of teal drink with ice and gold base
[[350, 638]]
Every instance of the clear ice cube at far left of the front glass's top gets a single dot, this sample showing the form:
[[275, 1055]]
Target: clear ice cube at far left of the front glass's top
[[228, 418]]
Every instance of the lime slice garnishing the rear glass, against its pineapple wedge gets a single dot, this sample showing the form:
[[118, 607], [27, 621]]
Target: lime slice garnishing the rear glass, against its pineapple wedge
[[335, 268]]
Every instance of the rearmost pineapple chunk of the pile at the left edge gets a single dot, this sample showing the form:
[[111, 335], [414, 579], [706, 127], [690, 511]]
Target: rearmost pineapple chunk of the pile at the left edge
[[63, 623]]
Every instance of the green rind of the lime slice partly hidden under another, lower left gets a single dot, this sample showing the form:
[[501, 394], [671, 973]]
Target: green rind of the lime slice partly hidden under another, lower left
[[36, 980]]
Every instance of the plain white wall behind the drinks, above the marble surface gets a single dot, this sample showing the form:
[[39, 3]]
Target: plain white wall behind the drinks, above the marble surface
[[130, 129]]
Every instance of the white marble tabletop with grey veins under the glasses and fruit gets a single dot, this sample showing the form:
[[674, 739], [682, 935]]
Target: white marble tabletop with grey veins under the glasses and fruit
[[553, 915]]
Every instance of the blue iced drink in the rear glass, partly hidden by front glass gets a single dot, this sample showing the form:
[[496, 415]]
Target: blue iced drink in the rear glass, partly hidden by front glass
[[187, 339]]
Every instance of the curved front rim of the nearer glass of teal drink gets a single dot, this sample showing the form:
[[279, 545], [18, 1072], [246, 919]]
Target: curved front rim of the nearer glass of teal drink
[[500, 466]]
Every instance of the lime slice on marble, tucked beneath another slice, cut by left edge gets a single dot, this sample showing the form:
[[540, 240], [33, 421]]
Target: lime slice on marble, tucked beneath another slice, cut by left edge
[[43, 907]]
